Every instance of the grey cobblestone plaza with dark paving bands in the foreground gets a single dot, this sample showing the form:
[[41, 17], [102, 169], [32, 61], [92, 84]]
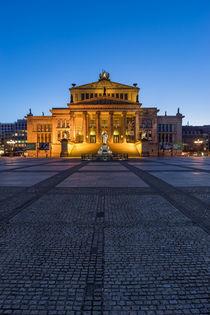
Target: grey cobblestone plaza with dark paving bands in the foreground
[[127, 237]]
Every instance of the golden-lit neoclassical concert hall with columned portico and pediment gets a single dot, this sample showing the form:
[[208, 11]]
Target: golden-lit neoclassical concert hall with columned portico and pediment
[[103, 106]]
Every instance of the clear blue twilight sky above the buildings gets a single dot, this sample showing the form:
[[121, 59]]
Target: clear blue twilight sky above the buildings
[[164, 46]]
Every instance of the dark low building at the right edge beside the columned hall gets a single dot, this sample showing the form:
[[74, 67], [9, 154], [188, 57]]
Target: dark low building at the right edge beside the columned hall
[[196, 139]]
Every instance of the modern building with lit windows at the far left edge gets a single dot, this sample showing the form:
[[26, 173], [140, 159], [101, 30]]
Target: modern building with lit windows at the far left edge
[[13, 136]]
